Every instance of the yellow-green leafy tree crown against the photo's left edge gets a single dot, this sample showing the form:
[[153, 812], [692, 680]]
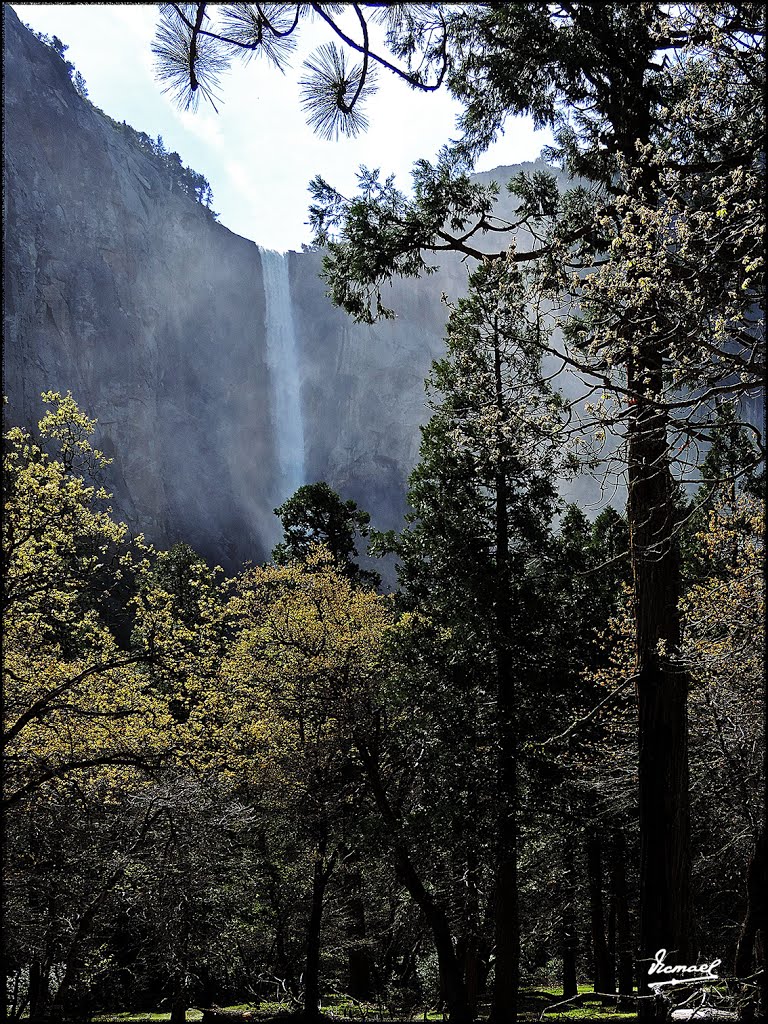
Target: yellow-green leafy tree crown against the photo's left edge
[[73, 697]]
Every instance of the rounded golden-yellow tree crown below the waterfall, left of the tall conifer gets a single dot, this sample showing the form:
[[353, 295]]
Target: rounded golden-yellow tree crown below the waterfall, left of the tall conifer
[[300, 677]]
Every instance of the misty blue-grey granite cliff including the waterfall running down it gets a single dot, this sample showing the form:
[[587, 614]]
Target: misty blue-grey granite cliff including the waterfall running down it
[[215, 394]]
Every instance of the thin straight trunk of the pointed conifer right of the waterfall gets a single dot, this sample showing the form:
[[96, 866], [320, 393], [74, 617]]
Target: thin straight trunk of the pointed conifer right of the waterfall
[[507, 969]]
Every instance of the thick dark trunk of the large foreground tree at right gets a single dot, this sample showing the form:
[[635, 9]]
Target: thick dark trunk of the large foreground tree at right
[[662, 682]]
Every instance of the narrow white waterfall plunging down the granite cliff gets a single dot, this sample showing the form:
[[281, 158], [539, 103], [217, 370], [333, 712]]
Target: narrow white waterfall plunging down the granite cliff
[[283, 360]]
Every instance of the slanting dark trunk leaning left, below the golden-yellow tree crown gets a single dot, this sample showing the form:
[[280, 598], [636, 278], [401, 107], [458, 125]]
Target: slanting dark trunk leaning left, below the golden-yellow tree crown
[[452, 980]]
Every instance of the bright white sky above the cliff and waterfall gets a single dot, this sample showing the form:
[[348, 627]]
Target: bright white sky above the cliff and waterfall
[[258, 153]]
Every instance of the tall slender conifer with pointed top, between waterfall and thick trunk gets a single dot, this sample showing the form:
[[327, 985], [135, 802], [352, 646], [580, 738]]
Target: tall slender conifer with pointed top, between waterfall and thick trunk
[[483, 499]]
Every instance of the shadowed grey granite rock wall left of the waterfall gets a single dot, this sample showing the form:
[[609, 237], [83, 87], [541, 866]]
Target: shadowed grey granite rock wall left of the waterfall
[[138, 303]]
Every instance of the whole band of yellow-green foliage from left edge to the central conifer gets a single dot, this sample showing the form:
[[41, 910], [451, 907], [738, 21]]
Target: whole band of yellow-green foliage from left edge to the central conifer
[[267, 685]]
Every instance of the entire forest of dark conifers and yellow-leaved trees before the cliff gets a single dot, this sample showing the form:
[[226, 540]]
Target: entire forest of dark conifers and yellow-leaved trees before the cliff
[[532, 782]]
